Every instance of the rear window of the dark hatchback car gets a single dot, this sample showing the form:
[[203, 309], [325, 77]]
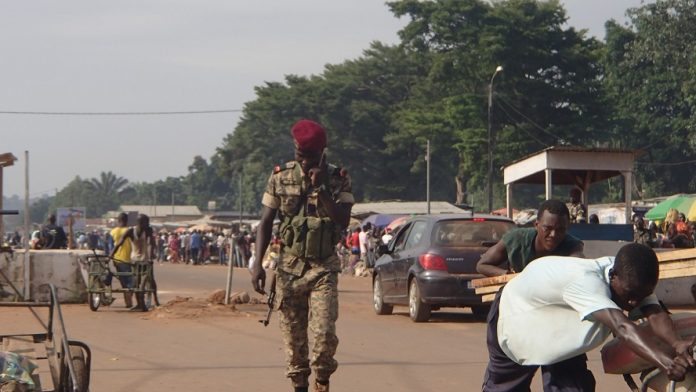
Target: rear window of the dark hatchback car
[[469, 232]]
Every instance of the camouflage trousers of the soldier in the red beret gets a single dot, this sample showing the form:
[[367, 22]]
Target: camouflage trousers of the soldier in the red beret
[[309, 301]]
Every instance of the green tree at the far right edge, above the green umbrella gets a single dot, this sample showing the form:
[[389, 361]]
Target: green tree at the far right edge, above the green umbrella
[[650, 68]]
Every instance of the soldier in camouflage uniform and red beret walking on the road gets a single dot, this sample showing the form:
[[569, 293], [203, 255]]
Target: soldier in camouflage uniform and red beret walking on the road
[[313, 200]]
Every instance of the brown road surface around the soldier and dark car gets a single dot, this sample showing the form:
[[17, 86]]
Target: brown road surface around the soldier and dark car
[[231, 351]]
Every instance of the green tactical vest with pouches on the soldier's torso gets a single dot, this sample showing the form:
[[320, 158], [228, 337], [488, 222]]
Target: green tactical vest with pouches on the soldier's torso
[[308, 237]]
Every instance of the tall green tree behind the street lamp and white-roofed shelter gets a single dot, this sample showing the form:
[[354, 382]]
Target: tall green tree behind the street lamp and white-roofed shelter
[[548, 93]]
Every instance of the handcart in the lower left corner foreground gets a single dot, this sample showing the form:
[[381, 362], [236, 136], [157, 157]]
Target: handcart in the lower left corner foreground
[[69, 361]]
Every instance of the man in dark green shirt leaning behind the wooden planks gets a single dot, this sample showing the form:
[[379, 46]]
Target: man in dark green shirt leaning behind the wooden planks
[[520, 247]]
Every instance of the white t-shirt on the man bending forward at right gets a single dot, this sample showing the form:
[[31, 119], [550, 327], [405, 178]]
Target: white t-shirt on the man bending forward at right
[[545, 312]]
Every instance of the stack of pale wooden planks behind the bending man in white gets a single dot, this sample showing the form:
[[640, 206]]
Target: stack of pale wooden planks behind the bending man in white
[[673, 264]]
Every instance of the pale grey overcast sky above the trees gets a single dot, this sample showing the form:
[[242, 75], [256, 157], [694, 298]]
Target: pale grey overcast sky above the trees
[[173, 55]]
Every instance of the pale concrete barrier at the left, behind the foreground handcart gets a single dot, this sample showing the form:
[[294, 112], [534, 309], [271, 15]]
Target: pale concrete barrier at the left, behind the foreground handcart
[[63, 268]]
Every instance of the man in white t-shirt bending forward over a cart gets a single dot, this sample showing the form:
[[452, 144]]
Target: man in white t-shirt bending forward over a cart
[[561, 307]]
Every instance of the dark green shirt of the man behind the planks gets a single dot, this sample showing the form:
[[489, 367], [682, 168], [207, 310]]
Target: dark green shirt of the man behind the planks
[[519, 244]]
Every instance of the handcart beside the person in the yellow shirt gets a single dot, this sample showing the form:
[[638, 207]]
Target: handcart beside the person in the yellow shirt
[[100, 277]]
